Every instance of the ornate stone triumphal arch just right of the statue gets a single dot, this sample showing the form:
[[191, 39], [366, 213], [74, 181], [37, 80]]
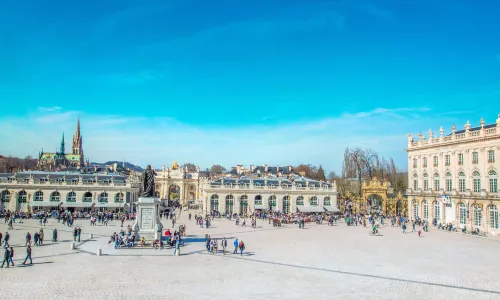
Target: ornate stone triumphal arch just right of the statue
[[175, 183]]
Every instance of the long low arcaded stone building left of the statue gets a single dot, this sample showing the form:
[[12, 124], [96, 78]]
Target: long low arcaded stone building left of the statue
[[31, 191]]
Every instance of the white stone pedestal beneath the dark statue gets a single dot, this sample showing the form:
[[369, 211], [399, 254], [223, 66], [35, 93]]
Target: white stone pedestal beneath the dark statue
[[147, 220]]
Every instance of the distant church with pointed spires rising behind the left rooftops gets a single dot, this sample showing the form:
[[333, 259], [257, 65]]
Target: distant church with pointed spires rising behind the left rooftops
[[60, 159]]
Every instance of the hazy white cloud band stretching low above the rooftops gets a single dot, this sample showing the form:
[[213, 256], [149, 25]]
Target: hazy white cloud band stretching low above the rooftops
[[144, 141]]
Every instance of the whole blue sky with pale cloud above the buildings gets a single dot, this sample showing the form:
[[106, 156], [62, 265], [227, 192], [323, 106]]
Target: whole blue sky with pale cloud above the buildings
[[276, 82]]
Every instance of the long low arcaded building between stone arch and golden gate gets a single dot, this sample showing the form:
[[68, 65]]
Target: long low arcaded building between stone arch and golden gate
[[246, 195]]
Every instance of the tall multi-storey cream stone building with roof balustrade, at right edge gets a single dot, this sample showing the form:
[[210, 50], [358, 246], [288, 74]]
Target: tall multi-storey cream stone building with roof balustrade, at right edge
[[454, 178]]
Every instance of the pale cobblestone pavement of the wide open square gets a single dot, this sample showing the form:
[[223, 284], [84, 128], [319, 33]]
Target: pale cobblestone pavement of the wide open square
[[317, 262]]
